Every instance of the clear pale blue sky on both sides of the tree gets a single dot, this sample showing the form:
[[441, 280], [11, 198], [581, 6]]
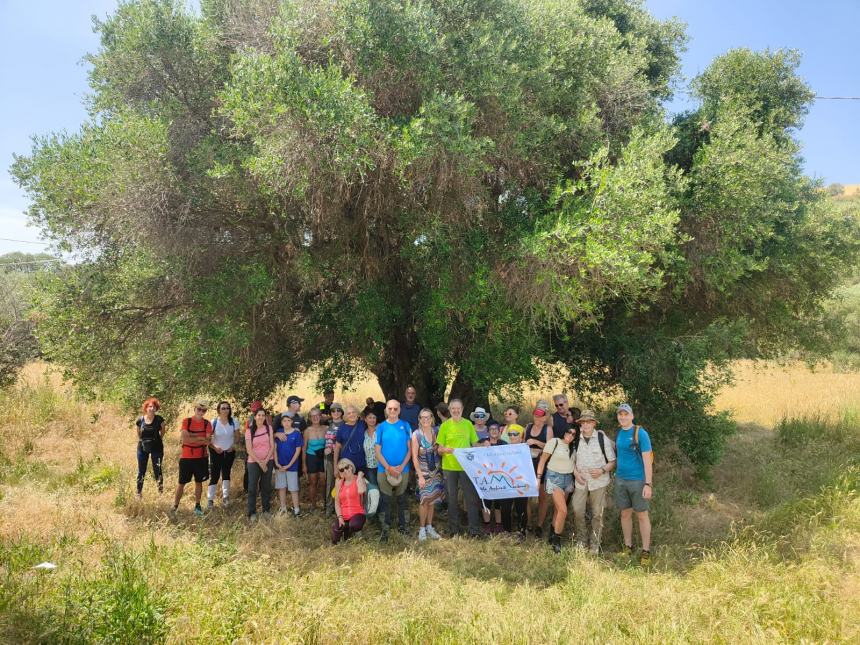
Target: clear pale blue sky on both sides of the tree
[[43, 80]]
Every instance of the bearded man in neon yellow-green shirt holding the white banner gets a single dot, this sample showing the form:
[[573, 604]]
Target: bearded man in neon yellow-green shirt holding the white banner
[[458, 432]]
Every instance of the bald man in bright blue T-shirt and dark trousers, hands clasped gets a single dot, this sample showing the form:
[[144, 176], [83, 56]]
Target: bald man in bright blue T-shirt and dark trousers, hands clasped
[[392, 454]]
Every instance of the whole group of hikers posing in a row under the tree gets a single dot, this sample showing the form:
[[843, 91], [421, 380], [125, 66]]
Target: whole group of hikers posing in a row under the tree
[[359, 464]]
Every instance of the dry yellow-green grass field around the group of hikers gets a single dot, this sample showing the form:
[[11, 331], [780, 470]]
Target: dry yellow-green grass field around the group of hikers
[[769, 550]]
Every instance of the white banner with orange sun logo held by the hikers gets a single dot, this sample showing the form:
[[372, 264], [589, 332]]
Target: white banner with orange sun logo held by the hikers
[[500, 472]]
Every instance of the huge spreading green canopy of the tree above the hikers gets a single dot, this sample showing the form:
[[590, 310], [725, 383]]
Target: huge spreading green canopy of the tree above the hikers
[[436, 191]]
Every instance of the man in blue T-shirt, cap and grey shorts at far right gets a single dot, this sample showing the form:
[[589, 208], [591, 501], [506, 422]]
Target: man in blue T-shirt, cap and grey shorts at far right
[[633, 483]]
